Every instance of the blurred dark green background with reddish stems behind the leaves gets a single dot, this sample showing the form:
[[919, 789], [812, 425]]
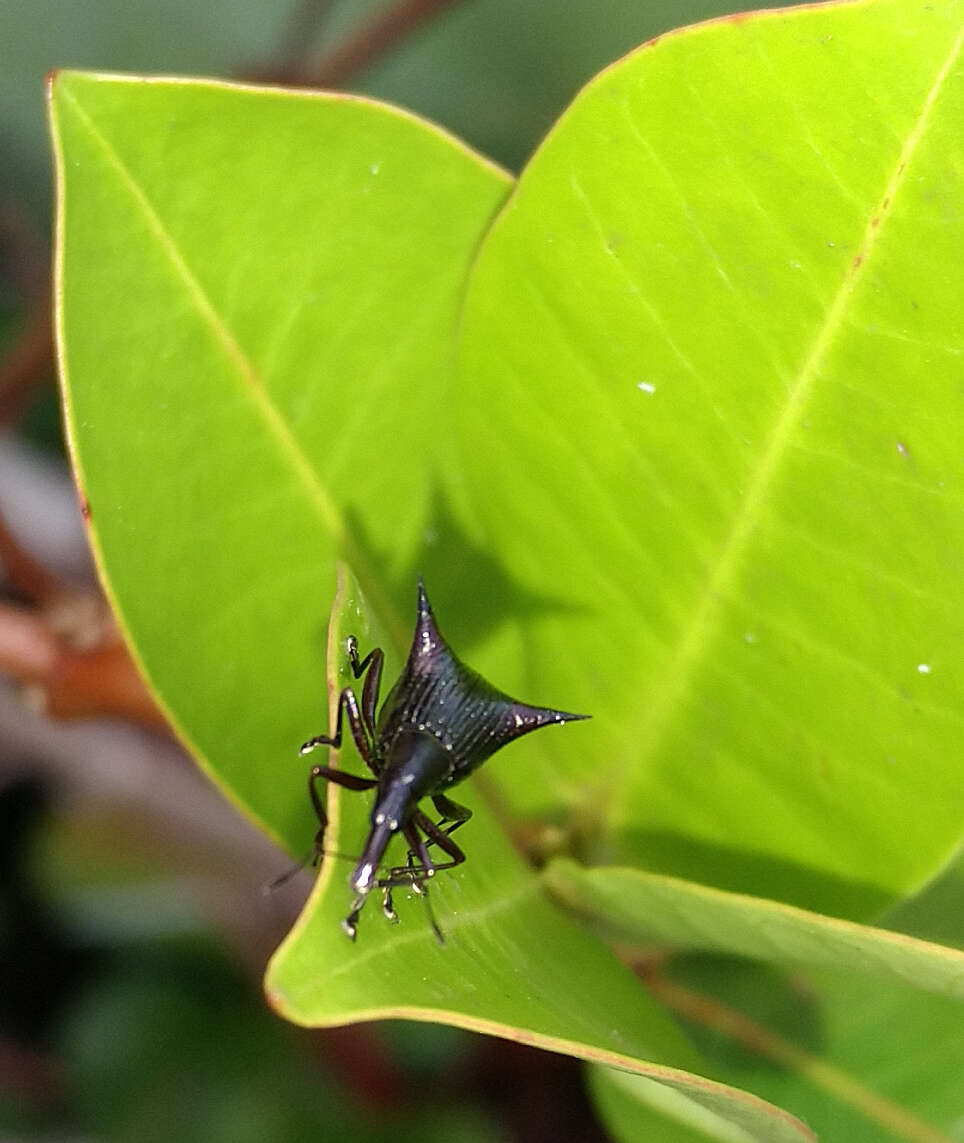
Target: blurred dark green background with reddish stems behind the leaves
[[133, 926]]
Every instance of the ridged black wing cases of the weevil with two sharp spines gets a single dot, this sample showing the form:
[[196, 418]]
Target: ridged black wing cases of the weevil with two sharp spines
[[440, 696]]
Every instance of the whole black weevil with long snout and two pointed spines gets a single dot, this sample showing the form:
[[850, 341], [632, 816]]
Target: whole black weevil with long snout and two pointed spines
[[441, 722]]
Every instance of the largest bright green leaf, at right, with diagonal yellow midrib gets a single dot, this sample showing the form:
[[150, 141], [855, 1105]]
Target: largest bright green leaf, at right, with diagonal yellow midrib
[[711, 403]]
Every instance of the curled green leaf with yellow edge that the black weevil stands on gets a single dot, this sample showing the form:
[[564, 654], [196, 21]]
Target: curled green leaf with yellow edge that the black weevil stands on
[[512, 965]]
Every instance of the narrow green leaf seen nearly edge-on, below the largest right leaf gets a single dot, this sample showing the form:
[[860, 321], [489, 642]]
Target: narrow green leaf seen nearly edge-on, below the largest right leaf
[[648, 908]]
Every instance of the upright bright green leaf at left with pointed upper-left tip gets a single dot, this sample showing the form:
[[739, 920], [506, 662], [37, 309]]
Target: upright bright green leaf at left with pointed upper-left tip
[[257, 294]]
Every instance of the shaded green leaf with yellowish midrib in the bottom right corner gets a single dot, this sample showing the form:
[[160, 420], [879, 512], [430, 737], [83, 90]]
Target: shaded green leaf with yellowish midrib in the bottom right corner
[[887, 1065]]
